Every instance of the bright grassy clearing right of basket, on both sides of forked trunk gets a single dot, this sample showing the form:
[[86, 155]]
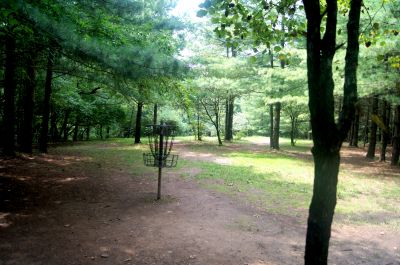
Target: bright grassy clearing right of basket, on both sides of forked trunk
[[282, 183]]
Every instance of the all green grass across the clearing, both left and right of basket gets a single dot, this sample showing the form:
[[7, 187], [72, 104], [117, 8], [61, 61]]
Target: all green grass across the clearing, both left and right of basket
[[278, 182]]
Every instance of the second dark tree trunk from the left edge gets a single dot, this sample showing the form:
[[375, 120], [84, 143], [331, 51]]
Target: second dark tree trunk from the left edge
[[27, 126]]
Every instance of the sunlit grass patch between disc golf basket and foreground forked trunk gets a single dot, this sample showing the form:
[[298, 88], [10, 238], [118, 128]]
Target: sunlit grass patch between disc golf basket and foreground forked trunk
[[265, 189]]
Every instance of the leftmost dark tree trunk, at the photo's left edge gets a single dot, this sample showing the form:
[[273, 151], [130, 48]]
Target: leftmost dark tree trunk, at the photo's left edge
[[9, 97]]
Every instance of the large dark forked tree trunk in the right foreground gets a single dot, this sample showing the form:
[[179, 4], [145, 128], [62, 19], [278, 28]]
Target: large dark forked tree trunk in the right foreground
[[327, 136]]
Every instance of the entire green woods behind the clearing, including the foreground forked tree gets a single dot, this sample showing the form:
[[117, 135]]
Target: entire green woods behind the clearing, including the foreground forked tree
[[324, 71]]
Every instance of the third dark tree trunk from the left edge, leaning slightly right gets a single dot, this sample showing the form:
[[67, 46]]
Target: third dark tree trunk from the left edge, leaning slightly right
[[43, 139]]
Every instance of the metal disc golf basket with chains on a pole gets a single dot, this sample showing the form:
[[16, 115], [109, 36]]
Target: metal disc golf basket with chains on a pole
[[161, 138]]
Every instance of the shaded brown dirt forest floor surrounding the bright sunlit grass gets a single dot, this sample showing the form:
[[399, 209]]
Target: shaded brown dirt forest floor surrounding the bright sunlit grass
[[91, 204]]
